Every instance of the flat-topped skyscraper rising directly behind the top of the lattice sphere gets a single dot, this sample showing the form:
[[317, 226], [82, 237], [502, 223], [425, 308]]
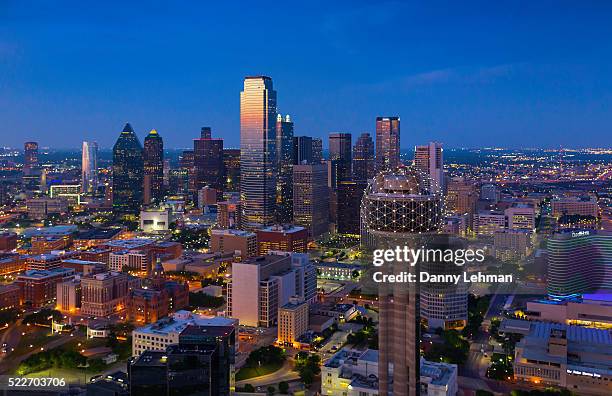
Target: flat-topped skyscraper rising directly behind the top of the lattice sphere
[[387, 143]]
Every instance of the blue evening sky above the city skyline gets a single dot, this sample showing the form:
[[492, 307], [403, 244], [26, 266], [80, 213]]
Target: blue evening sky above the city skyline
[[490, 73]]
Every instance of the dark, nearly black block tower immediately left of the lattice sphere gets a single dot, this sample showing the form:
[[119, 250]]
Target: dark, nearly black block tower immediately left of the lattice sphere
[[349, 194]]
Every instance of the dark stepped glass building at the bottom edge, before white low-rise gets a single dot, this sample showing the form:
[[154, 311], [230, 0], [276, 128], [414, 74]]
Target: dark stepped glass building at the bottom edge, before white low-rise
[[200, 364]]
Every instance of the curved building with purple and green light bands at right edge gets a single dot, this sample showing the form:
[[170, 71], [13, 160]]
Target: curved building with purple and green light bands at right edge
[[579, 262]]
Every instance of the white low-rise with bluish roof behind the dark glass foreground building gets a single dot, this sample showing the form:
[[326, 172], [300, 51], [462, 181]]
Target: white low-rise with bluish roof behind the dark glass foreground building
[[157, 336]]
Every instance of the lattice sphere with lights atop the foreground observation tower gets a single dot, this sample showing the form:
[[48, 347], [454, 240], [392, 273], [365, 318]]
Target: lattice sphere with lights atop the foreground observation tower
[[402, 201]]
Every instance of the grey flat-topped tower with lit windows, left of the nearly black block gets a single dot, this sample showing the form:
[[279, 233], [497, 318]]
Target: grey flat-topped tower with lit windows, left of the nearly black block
[[311, 198]]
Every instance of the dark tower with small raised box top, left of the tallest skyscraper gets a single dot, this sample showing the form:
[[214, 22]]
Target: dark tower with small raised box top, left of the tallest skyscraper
[[208, 161]]
